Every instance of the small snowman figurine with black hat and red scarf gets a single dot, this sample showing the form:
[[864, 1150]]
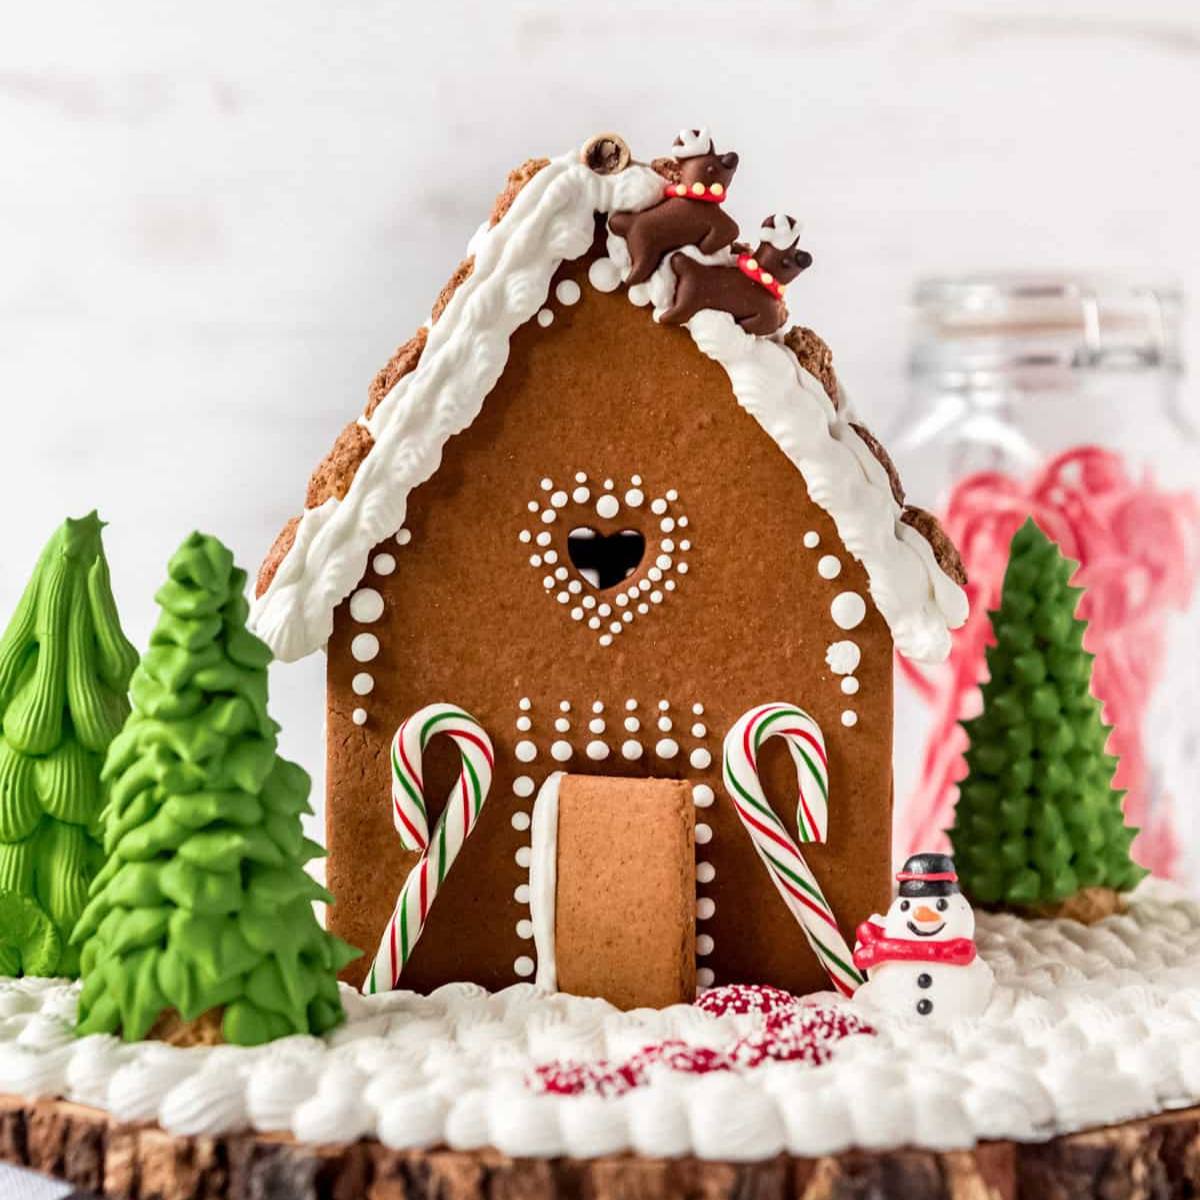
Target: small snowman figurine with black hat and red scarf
[[921, 958]]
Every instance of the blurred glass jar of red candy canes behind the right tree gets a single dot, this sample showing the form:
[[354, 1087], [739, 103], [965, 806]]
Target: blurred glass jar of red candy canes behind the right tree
[[1060, 397]]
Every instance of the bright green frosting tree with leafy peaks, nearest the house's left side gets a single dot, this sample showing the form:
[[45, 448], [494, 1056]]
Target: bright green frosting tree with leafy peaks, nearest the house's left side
[[203, 908]]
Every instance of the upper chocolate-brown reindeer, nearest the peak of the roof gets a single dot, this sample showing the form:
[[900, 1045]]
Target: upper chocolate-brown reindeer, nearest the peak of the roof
[[691, 213]]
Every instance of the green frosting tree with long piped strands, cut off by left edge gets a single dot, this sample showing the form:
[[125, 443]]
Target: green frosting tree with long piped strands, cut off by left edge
[[65, 670]]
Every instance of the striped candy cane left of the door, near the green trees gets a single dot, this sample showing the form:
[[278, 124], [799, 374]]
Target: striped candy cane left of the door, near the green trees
[[411, 818]]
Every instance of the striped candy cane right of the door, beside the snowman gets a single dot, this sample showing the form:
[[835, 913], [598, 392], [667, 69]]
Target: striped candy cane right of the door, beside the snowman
[[781, 855]]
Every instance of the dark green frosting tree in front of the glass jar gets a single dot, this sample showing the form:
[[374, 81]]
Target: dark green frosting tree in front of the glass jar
[[1039, 819]]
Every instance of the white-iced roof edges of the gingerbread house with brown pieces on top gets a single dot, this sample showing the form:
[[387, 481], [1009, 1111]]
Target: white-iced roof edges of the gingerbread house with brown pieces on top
[[437, 383]]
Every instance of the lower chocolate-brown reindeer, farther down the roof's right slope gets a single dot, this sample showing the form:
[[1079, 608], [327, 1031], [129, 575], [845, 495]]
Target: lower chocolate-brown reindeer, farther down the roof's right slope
[[752, 292]]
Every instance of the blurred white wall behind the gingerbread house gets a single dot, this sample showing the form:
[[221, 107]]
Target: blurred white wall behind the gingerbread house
[[217, 220]]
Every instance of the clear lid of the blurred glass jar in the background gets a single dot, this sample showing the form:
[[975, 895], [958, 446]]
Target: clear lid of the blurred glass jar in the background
[[977, 329]]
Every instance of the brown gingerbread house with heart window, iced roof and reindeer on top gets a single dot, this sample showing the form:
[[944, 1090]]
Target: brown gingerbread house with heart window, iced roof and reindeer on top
[[605, 503]]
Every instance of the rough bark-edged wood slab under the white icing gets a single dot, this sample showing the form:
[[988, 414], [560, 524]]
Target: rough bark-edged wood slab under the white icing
[[1157, 1159]]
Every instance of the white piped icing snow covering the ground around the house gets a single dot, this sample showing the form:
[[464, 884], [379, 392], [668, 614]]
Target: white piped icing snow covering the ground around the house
[[1089, 1027]]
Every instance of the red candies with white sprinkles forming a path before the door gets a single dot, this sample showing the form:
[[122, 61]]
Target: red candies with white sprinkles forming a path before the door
[[789, 1031]]
